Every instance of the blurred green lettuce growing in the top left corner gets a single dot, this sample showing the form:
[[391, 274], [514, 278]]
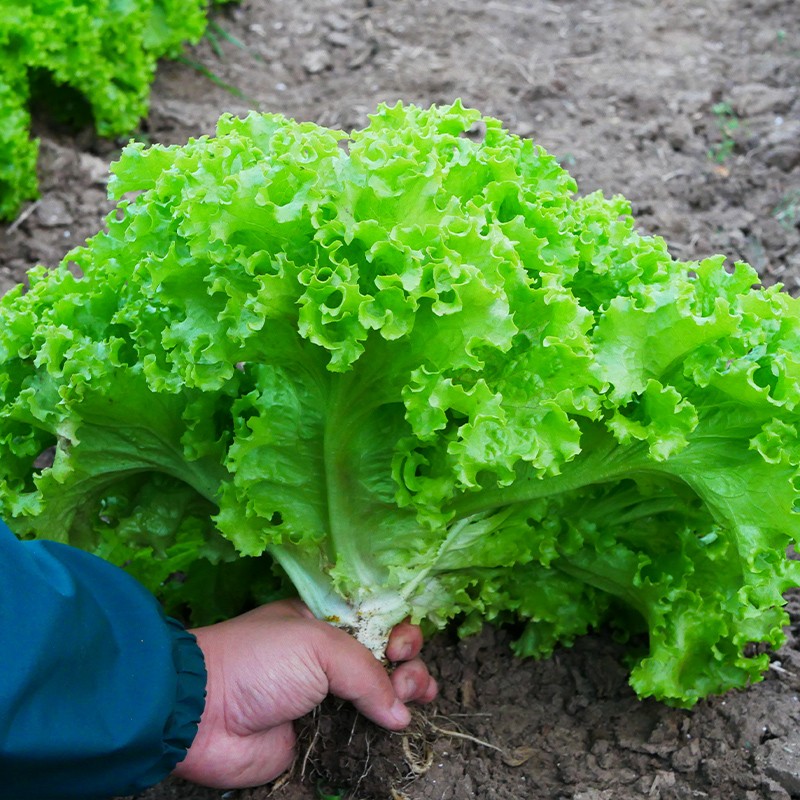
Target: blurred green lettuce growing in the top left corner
[[103, 52]]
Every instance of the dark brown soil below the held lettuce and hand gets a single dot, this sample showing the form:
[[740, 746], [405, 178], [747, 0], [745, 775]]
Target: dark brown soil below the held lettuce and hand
[[567, 728]]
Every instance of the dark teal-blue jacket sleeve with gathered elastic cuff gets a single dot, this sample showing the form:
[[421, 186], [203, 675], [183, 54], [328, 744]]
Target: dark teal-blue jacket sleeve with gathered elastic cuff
[[100, 693]]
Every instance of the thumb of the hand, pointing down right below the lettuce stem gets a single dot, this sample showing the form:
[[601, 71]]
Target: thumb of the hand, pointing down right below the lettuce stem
[[354, 674]]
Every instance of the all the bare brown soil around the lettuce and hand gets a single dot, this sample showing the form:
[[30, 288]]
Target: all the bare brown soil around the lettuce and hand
[[689, 109]]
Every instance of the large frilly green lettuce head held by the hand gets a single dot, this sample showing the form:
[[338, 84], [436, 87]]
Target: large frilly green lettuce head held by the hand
[[416, 371]]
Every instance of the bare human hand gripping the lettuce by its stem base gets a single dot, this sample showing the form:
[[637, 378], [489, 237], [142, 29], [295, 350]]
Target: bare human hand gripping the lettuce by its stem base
[[271, 666]]
